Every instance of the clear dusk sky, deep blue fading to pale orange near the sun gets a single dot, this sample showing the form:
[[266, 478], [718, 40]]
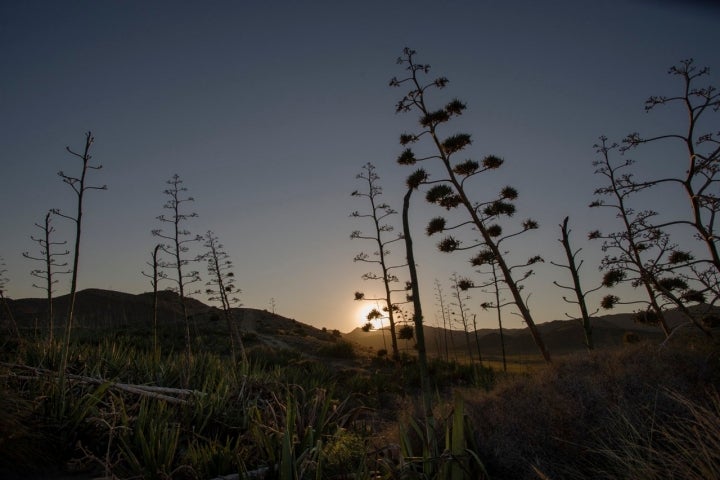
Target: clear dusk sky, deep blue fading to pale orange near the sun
[[267, 110]]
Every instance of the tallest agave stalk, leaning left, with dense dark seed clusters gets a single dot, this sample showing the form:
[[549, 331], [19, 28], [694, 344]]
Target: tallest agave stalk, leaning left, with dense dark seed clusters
[[450, 192]]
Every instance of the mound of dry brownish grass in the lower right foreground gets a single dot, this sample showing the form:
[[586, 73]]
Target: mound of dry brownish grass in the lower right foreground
[[620, 414]]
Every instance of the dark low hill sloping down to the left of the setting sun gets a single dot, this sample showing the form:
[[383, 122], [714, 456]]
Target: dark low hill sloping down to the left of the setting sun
[[118, 313]]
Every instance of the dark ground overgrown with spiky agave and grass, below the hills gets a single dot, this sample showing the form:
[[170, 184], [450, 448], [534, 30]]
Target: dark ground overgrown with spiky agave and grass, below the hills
[[309, 403]]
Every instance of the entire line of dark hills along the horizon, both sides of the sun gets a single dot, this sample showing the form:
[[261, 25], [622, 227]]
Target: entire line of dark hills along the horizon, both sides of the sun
[[96, 308]]
